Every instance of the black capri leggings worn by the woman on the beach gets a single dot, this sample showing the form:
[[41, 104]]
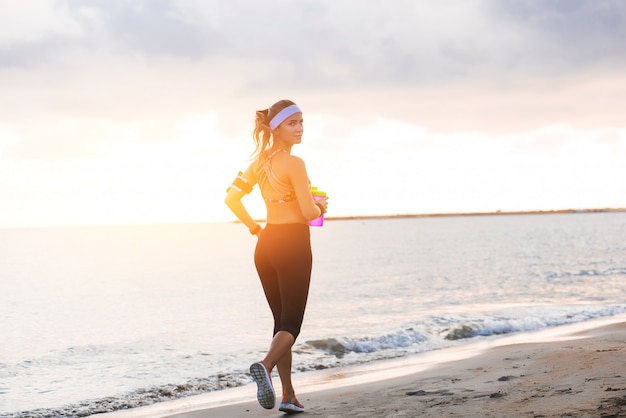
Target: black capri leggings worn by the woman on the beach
[[283, 260]]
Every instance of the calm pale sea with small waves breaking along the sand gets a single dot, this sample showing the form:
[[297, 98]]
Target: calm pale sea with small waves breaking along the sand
[[100, 319]]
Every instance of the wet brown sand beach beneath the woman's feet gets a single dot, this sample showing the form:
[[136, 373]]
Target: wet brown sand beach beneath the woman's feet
[[571, 371]]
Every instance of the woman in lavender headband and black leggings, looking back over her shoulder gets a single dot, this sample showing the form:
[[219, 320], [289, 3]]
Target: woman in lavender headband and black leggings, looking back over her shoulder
[[283, 253]]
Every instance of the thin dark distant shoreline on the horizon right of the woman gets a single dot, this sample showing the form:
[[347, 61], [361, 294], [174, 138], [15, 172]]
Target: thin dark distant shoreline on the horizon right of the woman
[[454, 214]]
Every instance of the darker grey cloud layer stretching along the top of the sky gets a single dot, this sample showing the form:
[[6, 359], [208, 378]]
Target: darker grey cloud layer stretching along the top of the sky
[[345, 43]]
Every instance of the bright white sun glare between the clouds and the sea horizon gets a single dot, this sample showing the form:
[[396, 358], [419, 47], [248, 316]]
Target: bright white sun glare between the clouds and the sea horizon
[[176, 171]]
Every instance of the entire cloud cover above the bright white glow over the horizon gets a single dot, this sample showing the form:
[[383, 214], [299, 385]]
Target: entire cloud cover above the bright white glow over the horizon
[[479, 65]]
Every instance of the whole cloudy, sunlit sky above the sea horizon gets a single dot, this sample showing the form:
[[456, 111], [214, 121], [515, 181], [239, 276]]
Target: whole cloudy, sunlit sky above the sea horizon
[[141, 112]]
